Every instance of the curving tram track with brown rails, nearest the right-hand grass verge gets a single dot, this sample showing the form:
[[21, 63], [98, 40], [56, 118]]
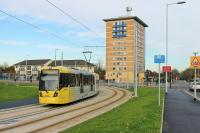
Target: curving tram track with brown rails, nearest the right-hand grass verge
[[30, 122]]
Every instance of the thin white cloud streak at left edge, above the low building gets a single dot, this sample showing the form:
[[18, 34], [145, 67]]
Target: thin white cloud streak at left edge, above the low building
[[14, 43]]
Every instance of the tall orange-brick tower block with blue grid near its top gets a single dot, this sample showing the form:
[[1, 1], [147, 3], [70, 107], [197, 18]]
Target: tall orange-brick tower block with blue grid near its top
[[123, 35]]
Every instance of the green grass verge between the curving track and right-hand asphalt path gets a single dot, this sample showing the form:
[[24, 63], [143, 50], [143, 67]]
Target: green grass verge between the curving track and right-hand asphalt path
[[138, 115]]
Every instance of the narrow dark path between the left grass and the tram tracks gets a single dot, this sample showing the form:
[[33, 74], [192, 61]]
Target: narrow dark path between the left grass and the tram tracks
[[18, 103]]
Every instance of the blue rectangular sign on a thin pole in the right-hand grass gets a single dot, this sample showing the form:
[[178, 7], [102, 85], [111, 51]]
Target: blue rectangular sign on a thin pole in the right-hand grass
[[158, 59]]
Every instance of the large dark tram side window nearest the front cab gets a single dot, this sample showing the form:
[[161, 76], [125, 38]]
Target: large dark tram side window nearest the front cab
[[67, 80]]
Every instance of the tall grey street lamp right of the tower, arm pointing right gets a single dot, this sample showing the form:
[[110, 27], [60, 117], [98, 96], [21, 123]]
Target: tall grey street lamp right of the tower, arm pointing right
[[167, 6]]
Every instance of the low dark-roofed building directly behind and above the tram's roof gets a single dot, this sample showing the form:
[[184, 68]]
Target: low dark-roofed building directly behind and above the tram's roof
[[76, 64]]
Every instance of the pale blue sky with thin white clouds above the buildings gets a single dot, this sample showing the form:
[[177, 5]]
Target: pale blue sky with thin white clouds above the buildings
[[19, 41]]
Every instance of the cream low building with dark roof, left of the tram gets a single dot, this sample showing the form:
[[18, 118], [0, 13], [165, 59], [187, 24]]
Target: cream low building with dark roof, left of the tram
[[30, 69]]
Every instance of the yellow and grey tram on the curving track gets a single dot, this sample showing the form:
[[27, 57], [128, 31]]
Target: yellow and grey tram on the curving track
[[60, 85]]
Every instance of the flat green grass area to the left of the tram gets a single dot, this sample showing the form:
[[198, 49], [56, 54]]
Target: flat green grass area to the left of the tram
[[12, 92]]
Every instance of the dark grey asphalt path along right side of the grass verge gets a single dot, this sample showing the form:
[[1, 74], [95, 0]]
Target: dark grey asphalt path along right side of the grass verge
[[181, 113]]
